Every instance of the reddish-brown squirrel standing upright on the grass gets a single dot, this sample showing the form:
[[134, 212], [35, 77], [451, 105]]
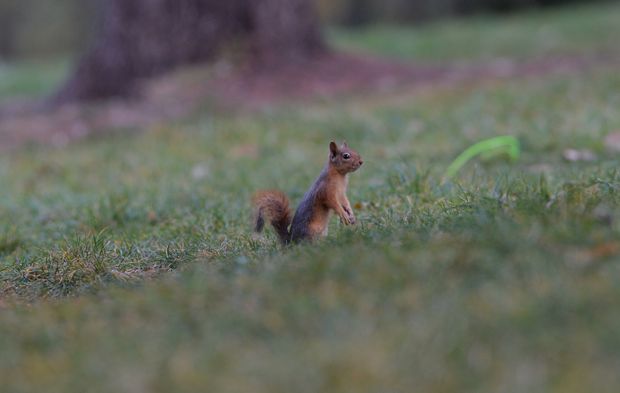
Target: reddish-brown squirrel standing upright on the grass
[[312, 216]]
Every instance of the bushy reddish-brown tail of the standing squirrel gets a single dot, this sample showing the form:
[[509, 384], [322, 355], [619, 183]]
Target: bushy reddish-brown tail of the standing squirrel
[[273, 206]]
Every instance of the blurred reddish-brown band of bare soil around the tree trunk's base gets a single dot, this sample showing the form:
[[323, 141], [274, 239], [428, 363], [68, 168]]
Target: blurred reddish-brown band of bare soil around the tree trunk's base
[[224, 86]]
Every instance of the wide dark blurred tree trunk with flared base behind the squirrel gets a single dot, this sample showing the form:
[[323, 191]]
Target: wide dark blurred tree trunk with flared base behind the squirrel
[[138, 39]]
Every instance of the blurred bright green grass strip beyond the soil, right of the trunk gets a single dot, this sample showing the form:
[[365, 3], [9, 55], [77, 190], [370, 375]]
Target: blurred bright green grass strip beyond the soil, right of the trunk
[[589, 29]]
